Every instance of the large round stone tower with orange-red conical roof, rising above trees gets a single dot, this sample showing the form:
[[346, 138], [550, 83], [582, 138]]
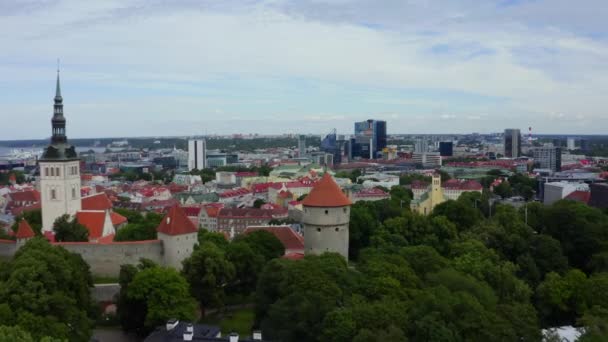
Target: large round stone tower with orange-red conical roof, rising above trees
[[326, 218]]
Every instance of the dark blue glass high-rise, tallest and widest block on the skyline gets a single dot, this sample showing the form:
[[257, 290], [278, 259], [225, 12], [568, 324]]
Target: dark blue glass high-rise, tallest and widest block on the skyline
[[370, 139]]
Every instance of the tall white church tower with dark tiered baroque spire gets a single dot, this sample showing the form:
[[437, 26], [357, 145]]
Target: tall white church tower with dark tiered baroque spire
[[59, 171]]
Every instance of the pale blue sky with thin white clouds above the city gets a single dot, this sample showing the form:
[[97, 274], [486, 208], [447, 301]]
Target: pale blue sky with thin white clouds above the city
[[185, 67]]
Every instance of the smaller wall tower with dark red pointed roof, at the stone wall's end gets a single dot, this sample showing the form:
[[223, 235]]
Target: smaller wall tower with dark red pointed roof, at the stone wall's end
[[178, 235]]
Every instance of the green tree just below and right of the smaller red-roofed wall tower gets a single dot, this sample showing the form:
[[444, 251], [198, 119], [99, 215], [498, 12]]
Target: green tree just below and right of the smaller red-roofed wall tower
[[208, 272]]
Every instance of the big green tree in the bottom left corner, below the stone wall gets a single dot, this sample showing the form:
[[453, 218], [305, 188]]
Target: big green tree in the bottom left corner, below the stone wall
[[45, 291]]
